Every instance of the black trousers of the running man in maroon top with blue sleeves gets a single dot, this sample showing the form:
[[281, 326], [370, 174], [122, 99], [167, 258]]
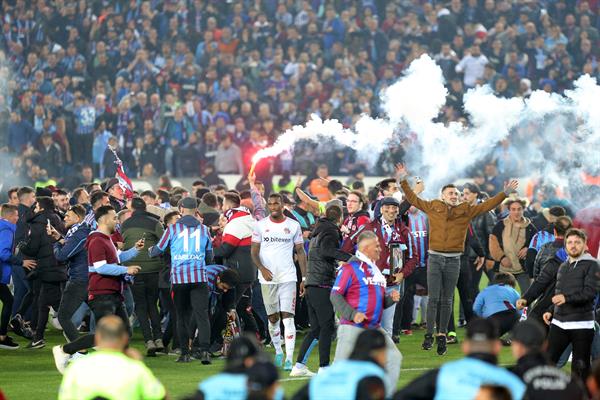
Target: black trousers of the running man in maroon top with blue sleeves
[[101, 306]]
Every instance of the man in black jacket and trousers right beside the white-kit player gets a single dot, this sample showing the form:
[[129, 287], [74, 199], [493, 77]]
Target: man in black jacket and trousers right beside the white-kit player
[[323, 254]]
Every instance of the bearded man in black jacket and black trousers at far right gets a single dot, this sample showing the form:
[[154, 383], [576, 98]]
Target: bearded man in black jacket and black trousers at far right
[[571, 315]]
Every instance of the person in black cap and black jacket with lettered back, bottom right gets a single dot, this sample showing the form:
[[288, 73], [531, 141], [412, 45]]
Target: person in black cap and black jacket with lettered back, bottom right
[[544, 381]]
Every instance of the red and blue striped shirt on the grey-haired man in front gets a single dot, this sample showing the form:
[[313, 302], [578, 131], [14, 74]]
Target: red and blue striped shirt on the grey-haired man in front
[[363, 291]]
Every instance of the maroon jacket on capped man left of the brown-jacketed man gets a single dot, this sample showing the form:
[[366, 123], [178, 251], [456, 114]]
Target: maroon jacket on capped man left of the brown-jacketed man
[[401, 234]]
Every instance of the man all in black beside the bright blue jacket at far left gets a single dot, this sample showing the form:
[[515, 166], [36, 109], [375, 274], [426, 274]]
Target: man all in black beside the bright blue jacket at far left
[[50, 275]]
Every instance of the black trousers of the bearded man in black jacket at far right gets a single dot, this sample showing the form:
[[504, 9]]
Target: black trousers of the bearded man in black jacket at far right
[[581, 339]]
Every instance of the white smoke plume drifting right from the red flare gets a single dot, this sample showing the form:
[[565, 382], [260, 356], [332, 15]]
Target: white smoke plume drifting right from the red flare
[[556, 138]]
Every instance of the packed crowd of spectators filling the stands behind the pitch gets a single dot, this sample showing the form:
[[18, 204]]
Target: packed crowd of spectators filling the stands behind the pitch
[[175, 86]]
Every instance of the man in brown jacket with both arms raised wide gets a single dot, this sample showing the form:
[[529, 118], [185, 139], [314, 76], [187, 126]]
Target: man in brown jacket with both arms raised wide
[[448, 221]]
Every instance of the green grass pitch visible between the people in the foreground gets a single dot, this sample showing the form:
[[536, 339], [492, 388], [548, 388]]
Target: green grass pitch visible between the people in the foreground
[[30, 373]]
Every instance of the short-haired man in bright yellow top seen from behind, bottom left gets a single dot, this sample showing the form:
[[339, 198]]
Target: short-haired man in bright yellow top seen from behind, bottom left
[[113, 372]]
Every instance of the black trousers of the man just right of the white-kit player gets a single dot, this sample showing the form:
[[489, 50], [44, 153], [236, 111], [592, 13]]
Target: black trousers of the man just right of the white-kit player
[[322, 324]]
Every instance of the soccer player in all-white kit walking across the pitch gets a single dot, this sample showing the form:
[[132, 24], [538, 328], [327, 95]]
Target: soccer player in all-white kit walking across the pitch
[[273, 243]]
